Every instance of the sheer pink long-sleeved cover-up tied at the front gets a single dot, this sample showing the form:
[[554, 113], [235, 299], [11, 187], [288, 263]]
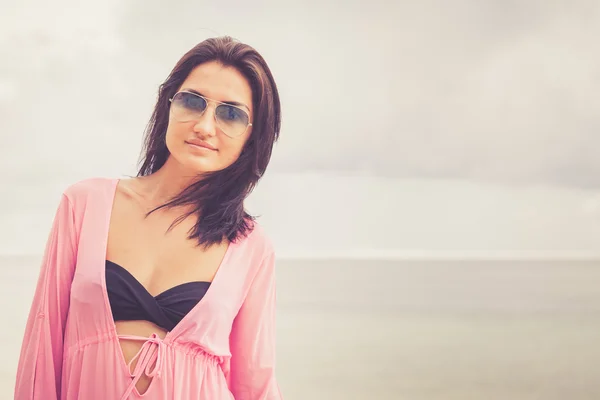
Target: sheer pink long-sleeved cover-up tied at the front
[[223, 349]]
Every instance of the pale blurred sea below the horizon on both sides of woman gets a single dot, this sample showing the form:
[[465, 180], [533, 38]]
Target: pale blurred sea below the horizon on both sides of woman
[[419, 330]]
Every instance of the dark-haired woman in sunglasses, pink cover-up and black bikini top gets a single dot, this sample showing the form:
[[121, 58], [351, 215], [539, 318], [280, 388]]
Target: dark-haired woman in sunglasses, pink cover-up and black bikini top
[[162, 285]]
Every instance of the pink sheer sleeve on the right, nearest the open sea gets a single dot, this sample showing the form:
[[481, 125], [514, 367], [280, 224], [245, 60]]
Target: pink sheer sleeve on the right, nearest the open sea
[[252, 340]]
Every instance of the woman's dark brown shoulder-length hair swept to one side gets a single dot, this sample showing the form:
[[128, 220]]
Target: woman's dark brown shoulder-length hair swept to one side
[[217, 198]]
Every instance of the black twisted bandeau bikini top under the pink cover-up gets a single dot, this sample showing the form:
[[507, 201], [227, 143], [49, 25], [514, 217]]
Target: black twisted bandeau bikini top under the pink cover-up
[[130, 301]]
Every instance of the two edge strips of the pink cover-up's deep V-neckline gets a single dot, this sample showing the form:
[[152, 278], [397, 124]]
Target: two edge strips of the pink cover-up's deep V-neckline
[[171, 335]]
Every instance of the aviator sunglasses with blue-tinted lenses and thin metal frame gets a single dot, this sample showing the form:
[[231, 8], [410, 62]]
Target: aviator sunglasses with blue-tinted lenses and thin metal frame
[[188, 106]]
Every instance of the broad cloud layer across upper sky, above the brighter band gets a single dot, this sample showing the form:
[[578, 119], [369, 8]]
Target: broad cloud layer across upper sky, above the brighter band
[[469, 90]]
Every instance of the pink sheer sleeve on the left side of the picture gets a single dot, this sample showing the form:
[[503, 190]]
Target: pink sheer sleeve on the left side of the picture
[[40, 363]]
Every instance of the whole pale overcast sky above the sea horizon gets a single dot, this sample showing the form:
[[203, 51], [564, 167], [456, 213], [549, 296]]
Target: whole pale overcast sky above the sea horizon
[[469, 126]]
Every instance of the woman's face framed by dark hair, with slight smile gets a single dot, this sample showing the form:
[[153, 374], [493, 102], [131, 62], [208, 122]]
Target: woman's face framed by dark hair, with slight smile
[[197, 141]]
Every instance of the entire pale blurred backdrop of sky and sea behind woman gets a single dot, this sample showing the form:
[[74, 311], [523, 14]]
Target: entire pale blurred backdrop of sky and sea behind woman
[[434, 198]]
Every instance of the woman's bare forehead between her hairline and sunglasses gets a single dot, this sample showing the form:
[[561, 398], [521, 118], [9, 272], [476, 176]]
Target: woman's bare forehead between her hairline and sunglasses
[[219, 82]]
